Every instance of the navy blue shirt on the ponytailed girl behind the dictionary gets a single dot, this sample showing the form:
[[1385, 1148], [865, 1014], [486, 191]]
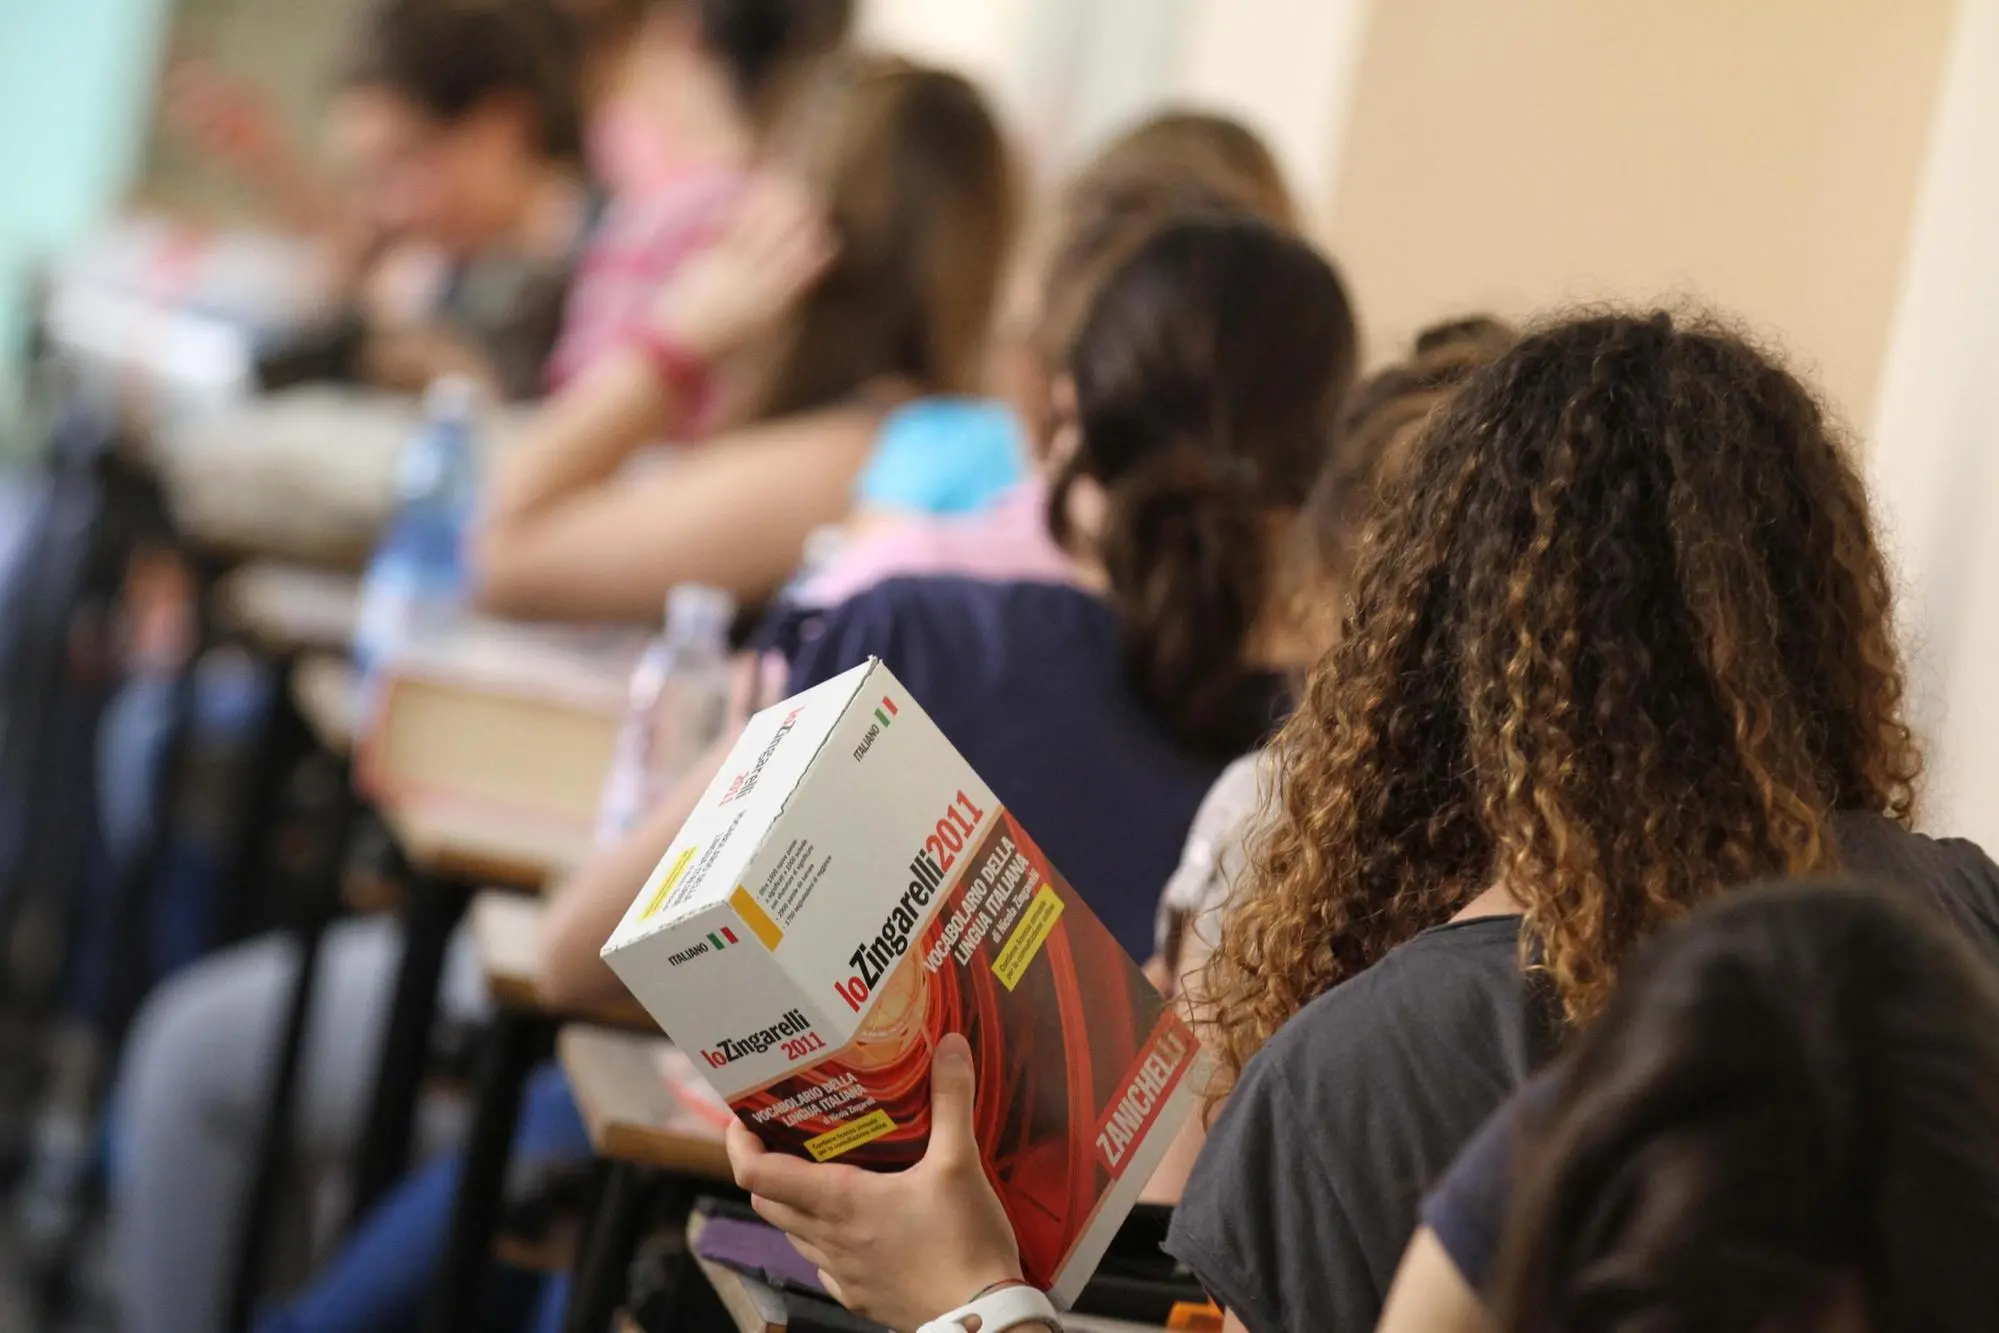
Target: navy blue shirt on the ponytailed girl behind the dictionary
[[1028, 682]]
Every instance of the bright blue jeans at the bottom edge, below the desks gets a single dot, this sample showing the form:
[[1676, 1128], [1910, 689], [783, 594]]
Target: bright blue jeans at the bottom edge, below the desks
[[383, 1276]]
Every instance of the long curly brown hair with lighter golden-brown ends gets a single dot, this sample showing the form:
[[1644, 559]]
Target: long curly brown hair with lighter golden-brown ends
[[1620, 639]]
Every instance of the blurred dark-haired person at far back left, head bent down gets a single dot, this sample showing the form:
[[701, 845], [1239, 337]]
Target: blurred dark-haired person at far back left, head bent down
[[457, 205]]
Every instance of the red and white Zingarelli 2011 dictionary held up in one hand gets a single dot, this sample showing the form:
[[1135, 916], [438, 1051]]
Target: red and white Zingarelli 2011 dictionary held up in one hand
[[847, 894]]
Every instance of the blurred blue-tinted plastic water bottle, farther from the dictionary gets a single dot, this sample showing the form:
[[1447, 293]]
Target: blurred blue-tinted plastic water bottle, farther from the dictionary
[[417, 575]]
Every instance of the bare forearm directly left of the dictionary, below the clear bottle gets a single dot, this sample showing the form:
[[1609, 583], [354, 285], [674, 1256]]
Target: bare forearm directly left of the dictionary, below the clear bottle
[[587, 908]]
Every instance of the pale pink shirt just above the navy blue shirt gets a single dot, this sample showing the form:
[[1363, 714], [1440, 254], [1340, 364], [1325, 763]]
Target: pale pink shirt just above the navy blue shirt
[[1004, 543]]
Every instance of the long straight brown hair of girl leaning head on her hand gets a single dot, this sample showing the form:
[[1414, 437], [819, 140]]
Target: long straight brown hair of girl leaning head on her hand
[[921, 191]]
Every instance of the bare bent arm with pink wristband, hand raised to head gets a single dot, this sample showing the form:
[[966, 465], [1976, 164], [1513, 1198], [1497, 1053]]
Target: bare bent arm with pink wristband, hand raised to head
[[569, 539]]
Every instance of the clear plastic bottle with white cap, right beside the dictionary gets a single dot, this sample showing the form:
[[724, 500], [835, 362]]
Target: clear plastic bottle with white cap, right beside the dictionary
[[681, 698]]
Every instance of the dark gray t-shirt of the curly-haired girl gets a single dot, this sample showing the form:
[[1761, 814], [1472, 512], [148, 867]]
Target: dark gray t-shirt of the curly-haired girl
[[1312, 1178]]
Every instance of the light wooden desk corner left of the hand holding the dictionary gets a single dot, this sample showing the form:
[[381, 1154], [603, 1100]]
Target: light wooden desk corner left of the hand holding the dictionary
[[631, 1110]]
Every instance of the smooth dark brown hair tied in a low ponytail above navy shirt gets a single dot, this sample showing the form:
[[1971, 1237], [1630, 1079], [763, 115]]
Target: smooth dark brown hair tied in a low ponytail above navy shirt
[[1206, 385]]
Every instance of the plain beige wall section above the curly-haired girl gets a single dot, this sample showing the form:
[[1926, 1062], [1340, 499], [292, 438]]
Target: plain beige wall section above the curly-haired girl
[[1760, 155]]
